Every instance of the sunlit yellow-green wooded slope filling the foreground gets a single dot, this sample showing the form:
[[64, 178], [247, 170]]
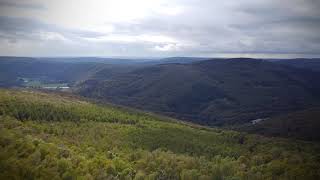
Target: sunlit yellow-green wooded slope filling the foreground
[[50, 136]]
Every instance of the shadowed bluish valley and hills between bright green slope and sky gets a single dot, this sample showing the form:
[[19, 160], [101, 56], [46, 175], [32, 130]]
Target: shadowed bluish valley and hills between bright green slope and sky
[[229, 93]]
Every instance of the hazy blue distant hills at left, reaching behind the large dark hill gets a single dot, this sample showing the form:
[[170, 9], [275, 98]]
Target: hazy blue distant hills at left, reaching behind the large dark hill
[[74, 69]]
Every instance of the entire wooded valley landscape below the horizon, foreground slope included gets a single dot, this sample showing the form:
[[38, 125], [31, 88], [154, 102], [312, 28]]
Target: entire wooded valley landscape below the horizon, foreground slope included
[[204, 119]]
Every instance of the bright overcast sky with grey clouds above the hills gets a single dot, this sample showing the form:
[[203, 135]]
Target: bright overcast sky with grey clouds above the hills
[[160, 28]]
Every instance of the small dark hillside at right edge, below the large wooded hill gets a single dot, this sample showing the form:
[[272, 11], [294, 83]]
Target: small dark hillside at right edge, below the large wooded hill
[[303, 125]]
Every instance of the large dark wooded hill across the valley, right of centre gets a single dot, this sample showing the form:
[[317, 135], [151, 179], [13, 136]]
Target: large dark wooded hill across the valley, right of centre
[[214, 92]]
